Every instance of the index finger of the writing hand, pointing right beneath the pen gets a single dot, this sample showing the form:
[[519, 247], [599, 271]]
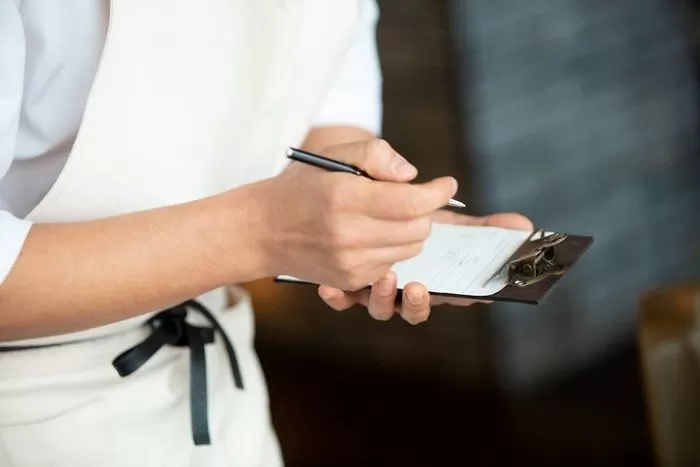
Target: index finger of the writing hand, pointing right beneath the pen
[[407, 201]]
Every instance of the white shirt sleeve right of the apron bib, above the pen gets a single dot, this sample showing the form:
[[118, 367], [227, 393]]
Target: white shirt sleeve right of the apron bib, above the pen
[[355, 96]]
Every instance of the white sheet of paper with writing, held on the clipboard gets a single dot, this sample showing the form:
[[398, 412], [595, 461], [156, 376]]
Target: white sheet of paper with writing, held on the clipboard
[[460, 260]]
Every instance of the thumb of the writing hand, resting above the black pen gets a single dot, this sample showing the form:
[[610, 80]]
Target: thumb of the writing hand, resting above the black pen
[[377, 158]]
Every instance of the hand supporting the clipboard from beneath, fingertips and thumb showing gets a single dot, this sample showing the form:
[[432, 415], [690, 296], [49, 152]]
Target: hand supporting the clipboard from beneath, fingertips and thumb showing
[[416, 302]]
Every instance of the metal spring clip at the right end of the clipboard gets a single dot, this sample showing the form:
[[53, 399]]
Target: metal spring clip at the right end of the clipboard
[[535, 260]]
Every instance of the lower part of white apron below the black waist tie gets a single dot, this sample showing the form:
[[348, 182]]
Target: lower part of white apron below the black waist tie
[[66, 406]]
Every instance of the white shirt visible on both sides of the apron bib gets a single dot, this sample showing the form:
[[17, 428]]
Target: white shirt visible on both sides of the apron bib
[[49, 52]]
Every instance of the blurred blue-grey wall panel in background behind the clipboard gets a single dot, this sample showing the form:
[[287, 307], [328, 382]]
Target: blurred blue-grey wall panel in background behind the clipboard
[[583, 115]]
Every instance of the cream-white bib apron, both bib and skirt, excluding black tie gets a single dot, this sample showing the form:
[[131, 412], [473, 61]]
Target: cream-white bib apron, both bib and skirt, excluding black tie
[[190, 99]]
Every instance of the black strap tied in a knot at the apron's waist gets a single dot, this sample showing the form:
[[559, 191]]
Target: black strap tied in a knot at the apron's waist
[[171, 327]]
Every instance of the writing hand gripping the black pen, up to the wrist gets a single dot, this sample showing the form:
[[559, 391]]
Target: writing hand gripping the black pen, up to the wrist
[[344, 230]]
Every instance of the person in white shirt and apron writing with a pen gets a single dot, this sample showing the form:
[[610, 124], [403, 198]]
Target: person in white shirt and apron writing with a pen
[[142, 174]]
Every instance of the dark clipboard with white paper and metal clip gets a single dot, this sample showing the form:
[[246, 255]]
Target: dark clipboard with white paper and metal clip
[[489, 262]]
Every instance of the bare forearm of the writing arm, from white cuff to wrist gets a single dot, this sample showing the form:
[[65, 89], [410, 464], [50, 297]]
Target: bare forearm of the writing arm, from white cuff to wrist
[[75, 276]]
